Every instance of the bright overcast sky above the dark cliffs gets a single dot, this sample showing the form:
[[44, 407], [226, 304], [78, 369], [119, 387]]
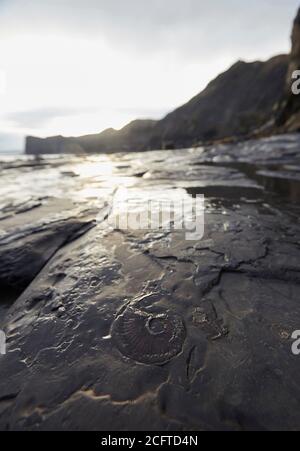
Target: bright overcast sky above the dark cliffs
[[75, 67]]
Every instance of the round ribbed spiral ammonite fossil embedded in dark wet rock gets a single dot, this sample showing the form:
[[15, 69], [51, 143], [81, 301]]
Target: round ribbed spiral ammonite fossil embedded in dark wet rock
[[148, 338]]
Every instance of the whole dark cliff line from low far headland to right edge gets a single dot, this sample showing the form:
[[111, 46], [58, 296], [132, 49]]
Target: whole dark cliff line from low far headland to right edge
[[249, 98]]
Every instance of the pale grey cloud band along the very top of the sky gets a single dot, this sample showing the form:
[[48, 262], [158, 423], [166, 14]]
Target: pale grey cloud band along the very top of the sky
[[191, 28]]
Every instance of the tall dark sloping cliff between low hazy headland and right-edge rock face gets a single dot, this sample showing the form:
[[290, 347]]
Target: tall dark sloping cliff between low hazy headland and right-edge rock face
[[236, 103]]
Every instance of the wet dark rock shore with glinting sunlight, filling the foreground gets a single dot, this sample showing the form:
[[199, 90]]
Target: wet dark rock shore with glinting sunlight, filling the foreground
[[111, 329]]
